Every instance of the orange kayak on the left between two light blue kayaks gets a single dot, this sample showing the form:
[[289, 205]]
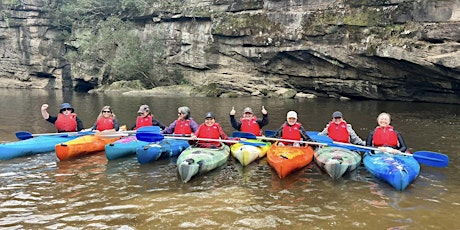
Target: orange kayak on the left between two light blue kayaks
[[82, 146]]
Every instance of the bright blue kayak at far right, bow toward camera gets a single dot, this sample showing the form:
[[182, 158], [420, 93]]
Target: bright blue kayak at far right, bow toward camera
[[397, 170]]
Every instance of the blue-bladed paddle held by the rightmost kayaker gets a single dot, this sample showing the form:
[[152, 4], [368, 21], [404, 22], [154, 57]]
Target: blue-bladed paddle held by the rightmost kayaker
[[429, 158]]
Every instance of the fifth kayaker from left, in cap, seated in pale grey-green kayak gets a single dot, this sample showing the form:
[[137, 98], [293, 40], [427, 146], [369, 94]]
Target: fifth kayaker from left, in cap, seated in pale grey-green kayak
[[210, 130]]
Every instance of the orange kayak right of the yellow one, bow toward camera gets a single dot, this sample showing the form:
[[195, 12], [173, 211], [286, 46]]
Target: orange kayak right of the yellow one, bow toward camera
[[286, 159]]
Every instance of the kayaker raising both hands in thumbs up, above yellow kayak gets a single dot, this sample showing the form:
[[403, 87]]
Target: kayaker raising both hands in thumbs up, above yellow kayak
[[248, 122]]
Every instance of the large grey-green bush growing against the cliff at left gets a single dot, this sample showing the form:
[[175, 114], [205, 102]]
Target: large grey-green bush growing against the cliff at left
[[115, 45]]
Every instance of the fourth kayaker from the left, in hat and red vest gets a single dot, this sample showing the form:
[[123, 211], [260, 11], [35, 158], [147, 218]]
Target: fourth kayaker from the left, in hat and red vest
[[184, 123]]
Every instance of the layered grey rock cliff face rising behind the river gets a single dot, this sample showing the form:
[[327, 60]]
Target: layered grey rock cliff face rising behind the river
[[367, 49]]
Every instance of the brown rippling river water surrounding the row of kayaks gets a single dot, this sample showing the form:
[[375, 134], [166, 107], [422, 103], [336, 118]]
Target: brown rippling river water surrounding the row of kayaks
[[40, 192]]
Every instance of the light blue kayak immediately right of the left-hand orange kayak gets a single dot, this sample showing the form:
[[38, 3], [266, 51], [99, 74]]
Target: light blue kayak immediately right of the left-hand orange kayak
[[124, 147]]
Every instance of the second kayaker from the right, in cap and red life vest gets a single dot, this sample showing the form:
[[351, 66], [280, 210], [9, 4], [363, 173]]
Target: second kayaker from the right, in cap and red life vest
[[339, 130]]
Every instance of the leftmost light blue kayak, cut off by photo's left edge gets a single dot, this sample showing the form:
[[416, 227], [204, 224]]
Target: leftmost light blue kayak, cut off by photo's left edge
[[36, 145]]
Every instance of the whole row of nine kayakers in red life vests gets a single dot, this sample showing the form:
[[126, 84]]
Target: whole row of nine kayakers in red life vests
[[337, 129]]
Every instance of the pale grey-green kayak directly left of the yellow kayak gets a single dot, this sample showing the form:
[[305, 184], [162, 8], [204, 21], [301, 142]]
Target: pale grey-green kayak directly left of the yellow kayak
[[194, 161]]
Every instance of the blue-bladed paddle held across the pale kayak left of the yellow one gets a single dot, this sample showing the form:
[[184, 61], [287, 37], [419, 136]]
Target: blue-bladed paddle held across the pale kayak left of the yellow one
[[155, 137]]
